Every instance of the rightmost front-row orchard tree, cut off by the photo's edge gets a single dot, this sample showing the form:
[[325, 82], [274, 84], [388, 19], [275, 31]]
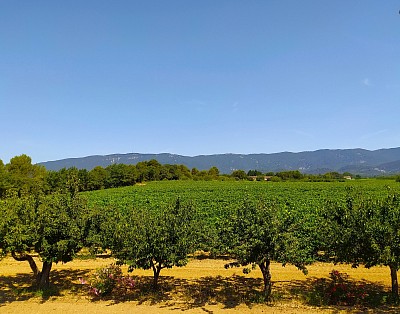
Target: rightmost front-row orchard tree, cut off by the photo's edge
[[365, 230]]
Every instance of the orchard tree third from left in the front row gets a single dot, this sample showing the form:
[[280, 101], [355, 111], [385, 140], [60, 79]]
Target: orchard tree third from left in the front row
[[259, 233]]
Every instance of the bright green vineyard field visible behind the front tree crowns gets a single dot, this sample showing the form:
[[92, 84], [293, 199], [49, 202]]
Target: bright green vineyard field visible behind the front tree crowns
[[216, 198]]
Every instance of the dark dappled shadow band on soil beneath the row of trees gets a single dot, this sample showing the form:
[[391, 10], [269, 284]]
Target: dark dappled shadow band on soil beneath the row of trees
[[182, 294]]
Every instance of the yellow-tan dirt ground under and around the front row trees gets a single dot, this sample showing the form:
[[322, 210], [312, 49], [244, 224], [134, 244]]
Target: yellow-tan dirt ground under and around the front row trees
[[203, 286]]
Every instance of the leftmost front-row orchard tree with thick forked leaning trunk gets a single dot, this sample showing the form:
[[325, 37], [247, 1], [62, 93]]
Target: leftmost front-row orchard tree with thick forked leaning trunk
[[51, 226]]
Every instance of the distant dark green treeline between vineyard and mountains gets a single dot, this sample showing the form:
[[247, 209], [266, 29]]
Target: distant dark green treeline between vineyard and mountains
[[21, 177]]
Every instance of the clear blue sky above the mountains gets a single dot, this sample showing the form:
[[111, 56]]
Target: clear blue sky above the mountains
[[80, 78]]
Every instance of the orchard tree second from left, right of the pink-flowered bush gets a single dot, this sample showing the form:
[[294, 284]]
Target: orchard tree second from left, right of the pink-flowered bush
[[154, 239]]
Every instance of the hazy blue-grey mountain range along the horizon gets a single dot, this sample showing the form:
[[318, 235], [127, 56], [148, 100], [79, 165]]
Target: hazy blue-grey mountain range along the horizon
[[356, 161]]
